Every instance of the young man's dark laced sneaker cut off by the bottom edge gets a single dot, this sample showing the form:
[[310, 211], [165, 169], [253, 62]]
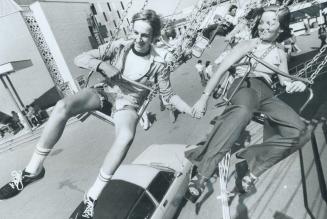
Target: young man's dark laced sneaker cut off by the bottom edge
[[85, 209]]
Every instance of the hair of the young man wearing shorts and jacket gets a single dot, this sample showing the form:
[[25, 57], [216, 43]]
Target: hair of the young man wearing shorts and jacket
[[152, 18]]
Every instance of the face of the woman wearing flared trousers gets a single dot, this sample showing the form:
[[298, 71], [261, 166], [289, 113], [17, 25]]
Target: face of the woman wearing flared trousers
[[269, 27]]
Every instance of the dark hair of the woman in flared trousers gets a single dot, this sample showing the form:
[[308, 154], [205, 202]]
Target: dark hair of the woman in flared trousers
[[284, 17]]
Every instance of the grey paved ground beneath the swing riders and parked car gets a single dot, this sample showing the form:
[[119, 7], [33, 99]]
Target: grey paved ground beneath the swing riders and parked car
[[75, 161]]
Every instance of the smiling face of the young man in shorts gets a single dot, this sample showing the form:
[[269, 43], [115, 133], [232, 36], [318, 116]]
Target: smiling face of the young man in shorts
[[142, 36]]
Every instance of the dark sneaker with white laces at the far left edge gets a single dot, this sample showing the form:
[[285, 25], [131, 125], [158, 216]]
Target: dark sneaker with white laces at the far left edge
[[20, 180]]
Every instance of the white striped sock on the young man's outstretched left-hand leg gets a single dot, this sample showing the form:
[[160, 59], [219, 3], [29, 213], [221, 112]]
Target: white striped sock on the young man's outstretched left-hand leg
[[36, 163]]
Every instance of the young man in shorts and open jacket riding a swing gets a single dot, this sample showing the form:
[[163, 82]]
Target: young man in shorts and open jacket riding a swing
[[136, 60]]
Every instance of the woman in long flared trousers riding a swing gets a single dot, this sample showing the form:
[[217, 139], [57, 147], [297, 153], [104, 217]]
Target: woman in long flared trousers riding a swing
[[254, 95]]
